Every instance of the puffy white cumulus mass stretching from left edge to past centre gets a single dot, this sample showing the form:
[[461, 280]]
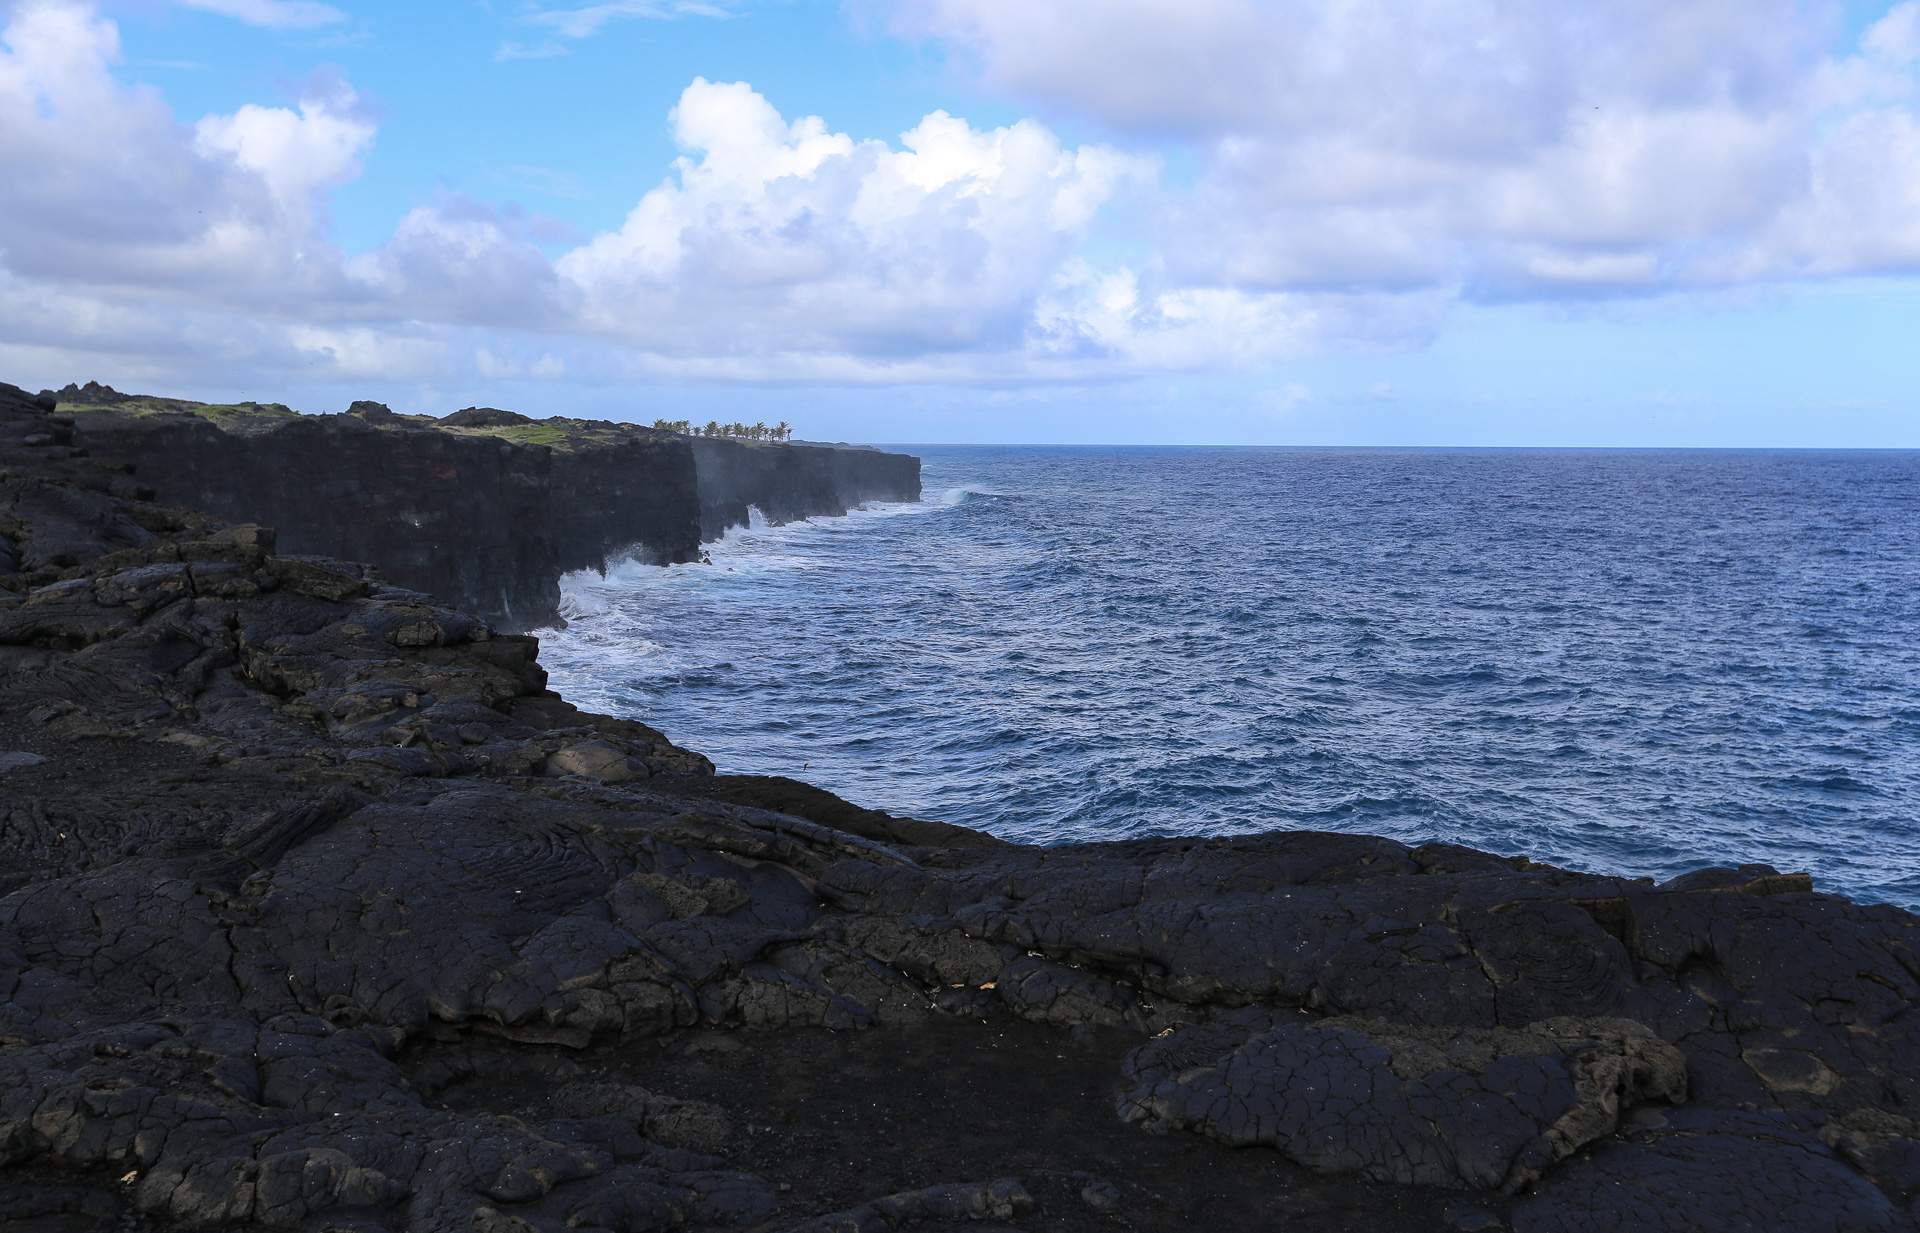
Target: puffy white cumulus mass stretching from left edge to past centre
[[777, 249]]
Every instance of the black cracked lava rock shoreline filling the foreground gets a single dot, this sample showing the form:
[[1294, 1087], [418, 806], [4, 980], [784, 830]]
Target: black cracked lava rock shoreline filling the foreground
[[318, 911]]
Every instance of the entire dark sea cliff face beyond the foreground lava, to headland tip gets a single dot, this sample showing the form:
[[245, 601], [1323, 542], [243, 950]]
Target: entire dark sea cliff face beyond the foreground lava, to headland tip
[[485, 521]]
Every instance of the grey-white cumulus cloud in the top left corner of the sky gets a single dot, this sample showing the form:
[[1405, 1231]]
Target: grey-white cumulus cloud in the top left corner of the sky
[[105, 189]]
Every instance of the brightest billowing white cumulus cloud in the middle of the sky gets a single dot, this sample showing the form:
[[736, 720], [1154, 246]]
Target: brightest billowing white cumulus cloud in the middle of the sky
[[784, 239]]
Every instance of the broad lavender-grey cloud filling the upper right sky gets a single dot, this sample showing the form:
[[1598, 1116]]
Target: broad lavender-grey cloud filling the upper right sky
[[1500, 147]]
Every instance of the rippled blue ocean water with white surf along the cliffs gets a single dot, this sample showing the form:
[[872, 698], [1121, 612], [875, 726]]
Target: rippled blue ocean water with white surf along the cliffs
[[1621, 662]]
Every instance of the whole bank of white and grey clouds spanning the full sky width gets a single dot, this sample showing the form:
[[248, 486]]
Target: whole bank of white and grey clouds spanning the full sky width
[[1360, 168]]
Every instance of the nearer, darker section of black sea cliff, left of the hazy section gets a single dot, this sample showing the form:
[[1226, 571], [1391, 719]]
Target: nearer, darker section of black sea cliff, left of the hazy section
[[489, 523]]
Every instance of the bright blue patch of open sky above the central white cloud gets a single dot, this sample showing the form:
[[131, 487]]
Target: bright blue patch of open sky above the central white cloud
[[579, 135]]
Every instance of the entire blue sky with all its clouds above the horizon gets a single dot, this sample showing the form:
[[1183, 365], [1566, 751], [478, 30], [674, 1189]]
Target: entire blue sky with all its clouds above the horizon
[[1157, 222]]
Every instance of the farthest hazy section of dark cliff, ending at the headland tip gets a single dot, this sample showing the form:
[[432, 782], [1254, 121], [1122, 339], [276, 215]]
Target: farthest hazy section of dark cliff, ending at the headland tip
[[792, 483]]
